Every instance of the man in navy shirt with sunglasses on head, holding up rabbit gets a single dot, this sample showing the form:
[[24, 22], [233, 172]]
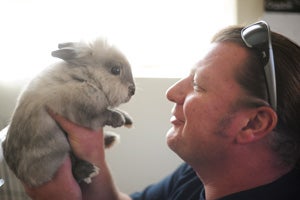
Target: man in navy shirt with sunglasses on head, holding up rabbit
[[235, 124]]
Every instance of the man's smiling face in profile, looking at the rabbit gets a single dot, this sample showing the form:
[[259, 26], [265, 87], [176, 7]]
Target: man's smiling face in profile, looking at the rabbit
[[203, 115]]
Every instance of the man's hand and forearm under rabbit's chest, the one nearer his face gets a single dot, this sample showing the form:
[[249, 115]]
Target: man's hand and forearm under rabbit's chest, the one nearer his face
[[89, 145]]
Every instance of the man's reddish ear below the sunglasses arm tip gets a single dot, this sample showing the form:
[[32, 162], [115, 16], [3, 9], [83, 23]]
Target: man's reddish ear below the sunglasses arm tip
[[259, 123]]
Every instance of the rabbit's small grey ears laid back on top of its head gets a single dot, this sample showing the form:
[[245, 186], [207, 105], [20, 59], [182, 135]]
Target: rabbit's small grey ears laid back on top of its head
[[70, 51]]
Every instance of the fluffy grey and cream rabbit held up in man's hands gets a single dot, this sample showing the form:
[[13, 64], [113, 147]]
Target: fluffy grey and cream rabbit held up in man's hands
[[85, 87]]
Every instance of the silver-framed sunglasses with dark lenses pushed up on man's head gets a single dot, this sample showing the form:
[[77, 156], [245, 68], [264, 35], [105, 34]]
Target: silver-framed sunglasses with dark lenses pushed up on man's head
[[258, 36]]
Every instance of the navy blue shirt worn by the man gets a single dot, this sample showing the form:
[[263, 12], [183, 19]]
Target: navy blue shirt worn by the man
[[184, 184]]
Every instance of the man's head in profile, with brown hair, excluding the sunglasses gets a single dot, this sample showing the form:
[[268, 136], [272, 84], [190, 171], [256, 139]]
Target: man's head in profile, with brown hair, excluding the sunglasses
[[224, 101]]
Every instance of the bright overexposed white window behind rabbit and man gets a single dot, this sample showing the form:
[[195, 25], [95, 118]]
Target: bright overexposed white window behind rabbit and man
[[161, 38]]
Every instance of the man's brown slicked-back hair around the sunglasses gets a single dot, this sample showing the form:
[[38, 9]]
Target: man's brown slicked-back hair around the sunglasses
[[286, 135]]
